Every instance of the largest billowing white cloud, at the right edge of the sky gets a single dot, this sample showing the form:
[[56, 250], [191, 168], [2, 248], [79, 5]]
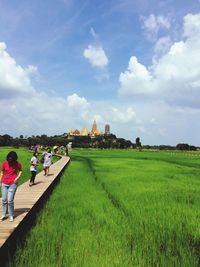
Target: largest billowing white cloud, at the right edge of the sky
[[174, 76]]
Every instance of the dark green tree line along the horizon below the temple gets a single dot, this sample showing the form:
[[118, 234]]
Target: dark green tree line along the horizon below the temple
[[102, 141]]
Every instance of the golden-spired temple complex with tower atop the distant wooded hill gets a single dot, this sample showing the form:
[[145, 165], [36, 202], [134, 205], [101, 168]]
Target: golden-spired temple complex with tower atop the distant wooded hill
[[94, 131]]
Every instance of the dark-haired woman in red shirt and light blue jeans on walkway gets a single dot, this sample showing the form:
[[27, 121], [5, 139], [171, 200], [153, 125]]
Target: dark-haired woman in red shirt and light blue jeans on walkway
[[11, 171]]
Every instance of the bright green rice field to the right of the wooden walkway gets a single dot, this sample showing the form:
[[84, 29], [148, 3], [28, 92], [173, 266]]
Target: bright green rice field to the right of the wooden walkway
[[119, 208]]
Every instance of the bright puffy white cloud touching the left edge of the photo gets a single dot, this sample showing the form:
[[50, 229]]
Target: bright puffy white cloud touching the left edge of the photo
[[14, 79]]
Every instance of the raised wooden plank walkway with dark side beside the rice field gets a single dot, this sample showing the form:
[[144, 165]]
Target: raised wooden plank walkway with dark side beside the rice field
[[27, 202]]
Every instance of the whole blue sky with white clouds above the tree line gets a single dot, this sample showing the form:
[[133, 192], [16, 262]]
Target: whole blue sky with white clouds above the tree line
[[133, 64]]
